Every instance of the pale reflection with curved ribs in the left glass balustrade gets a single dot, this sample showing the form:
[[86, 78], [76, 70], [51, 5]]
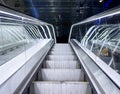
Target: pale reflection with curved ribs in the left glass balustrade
[[16, 38]]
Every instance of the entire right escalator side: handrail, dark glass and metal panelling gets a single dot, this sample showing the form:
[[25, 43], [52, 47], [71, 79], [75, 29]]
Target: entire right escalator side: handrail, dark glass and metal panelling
[[99, 49]]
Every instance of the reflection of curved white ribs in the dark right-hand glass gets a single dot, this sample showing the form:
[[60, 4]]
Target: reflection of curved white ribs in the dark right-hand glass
[[103, 41]]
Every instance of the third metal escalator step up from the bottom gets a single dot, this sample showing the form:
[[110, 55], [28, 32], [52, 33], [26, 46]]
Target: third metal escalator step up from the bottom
[[62, 65]]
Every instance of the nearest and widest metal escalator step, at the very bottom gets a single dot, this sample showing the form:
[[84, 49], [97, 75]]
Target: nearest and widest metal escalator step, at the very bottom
[[60, 88]]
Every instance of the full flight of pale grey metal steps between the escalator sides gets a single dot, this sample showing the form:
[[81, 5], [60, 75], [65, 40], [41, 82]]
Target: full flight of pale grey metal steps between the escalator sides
[[61, 73]]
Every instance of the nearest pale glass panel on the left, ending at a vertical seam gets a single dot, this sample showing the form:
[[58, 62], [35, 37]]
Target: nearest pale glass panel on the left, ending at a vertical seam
[[12, 40]]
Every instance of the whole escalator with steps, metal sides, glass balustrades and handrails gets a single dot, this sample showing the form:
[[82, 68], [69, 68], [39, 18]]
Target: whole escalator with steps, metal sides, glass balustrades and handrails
[[30, 64]]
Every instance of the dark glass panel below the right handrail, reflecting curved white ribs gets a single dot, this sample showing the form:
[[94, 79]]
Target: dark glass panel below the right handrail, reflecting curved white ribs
[[100, 36]]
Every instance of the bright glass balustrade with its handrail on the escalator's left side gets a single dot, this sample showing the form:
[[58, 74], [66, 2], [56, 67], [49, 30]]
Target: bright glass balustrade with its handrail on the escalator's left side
[[19, 32]]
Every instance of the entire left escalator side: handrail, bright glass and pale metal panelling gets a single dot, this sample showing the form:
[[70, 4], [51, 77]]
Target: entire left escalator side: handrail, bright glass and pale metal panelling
[[22, 48]]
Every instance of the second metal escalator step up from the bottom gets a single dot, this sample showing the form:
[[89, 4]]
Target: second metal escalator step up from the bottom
[[61, 75]]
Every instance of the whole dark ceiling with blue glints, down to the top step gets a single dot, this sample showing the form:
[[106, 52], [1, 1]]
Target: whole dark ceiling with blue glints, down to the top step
[[61, 13]]
